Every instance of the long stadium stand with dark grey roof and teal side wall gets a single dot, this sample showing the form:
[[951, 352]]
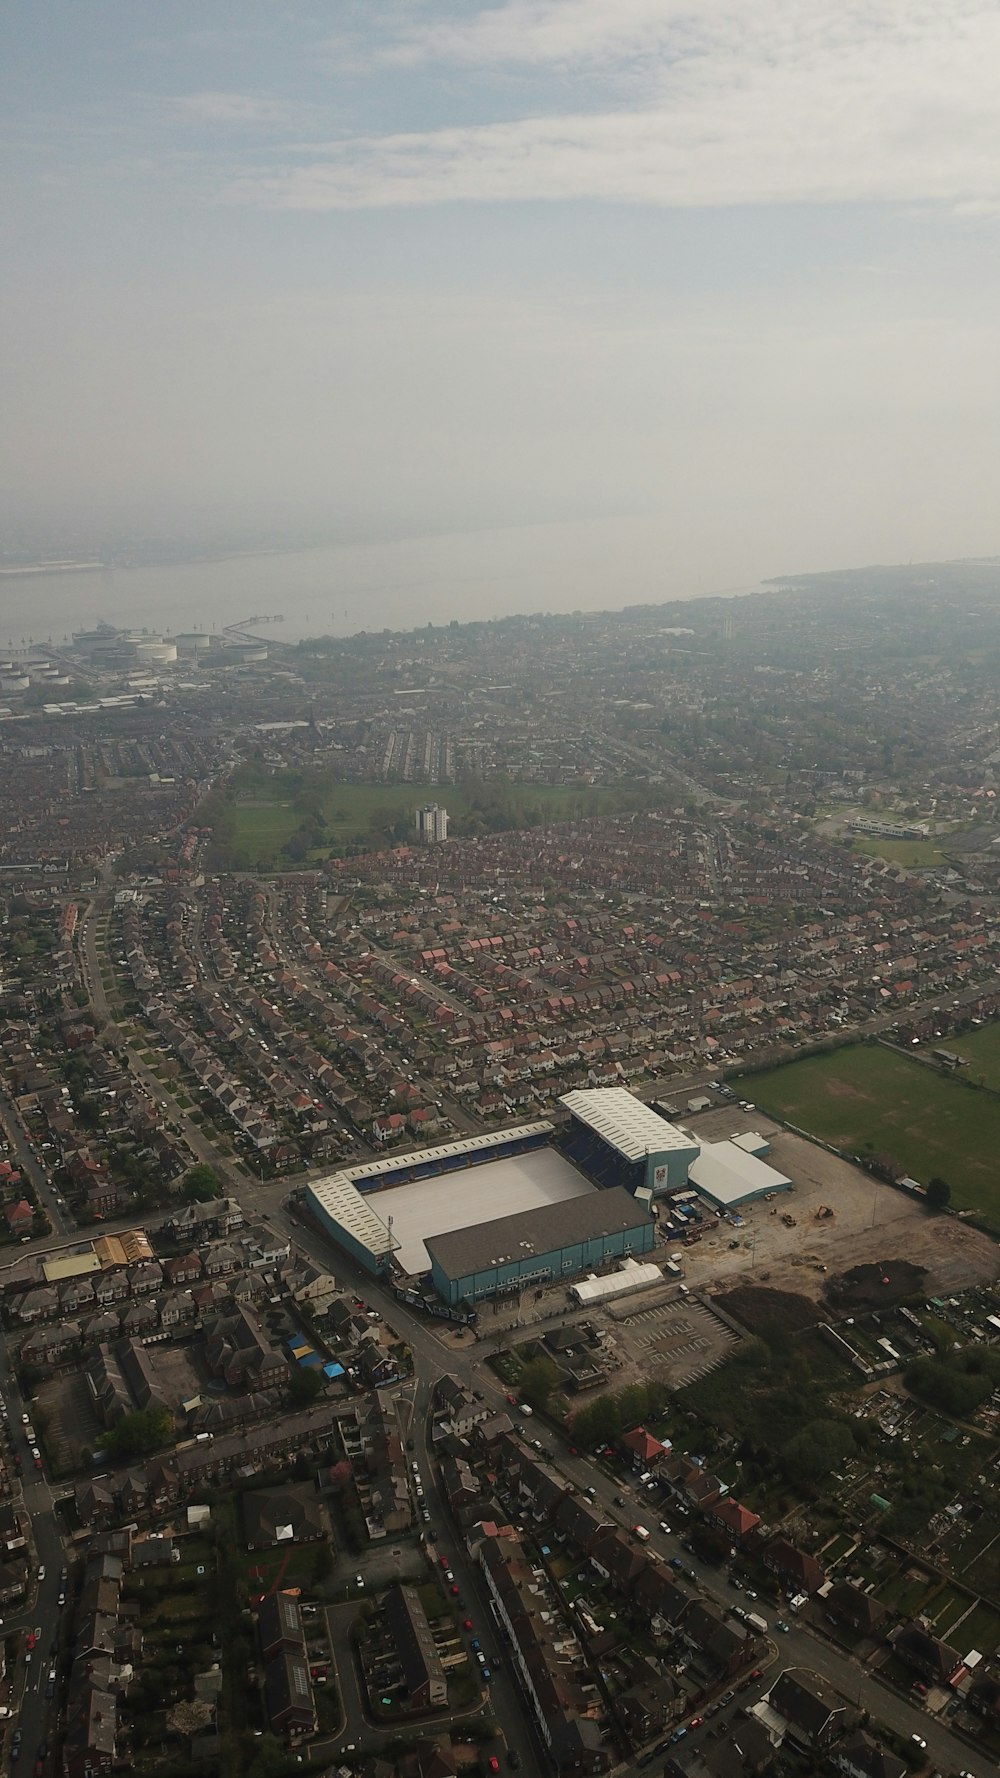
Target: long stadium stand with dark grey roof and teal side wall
[[536, 1247]]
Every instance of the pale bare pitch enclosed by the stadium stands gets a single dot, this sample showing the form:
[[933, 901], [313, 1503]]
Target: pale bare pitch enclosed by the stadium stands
[[478, 1194]]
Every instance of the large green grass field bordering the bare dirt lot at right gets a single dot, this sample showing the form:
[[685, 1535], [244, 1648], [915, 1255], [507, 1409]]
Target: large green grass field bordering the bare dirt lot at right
[[869, 1098]]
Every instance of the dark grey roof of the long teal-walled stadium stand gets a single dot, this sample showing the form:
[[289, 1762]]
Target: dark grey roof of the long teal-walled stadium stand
[[485, 1245]]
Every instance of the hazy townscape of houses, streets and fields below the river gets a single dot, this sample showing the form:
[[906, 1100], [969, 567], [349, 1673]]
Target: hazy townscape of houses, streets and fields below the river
[[499, 1142]]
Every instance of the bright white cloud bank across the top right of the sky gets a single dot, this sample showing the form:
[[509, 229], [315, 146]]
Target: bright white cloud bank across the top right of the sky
[[732, 104]]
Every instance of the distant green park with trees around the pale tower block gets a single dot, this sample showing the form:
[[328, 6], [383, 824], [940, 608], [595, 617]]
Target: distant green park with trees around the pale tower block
[[261, 821]]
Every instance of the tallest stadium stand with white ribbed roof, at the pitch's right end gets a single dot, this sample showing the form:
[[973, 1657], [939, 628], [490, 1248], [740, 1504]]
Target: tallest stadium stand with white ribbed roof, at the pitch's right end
[[618, 1141]]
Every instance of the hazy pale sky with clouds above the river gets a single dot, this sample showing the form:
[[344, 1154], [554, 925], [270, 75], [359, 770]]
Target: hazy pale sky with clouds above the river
[[716, 280]]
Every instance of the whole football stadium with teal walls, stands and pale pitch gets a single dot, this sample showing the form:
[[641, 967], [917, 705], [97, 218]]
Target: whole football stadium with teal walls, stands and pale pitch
[[536, 1203]]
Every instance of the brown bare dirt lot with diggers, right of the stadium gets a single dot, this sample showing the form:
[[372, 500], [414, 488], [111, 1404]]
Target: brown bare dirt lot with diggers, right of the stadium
[[871, 1222]]
